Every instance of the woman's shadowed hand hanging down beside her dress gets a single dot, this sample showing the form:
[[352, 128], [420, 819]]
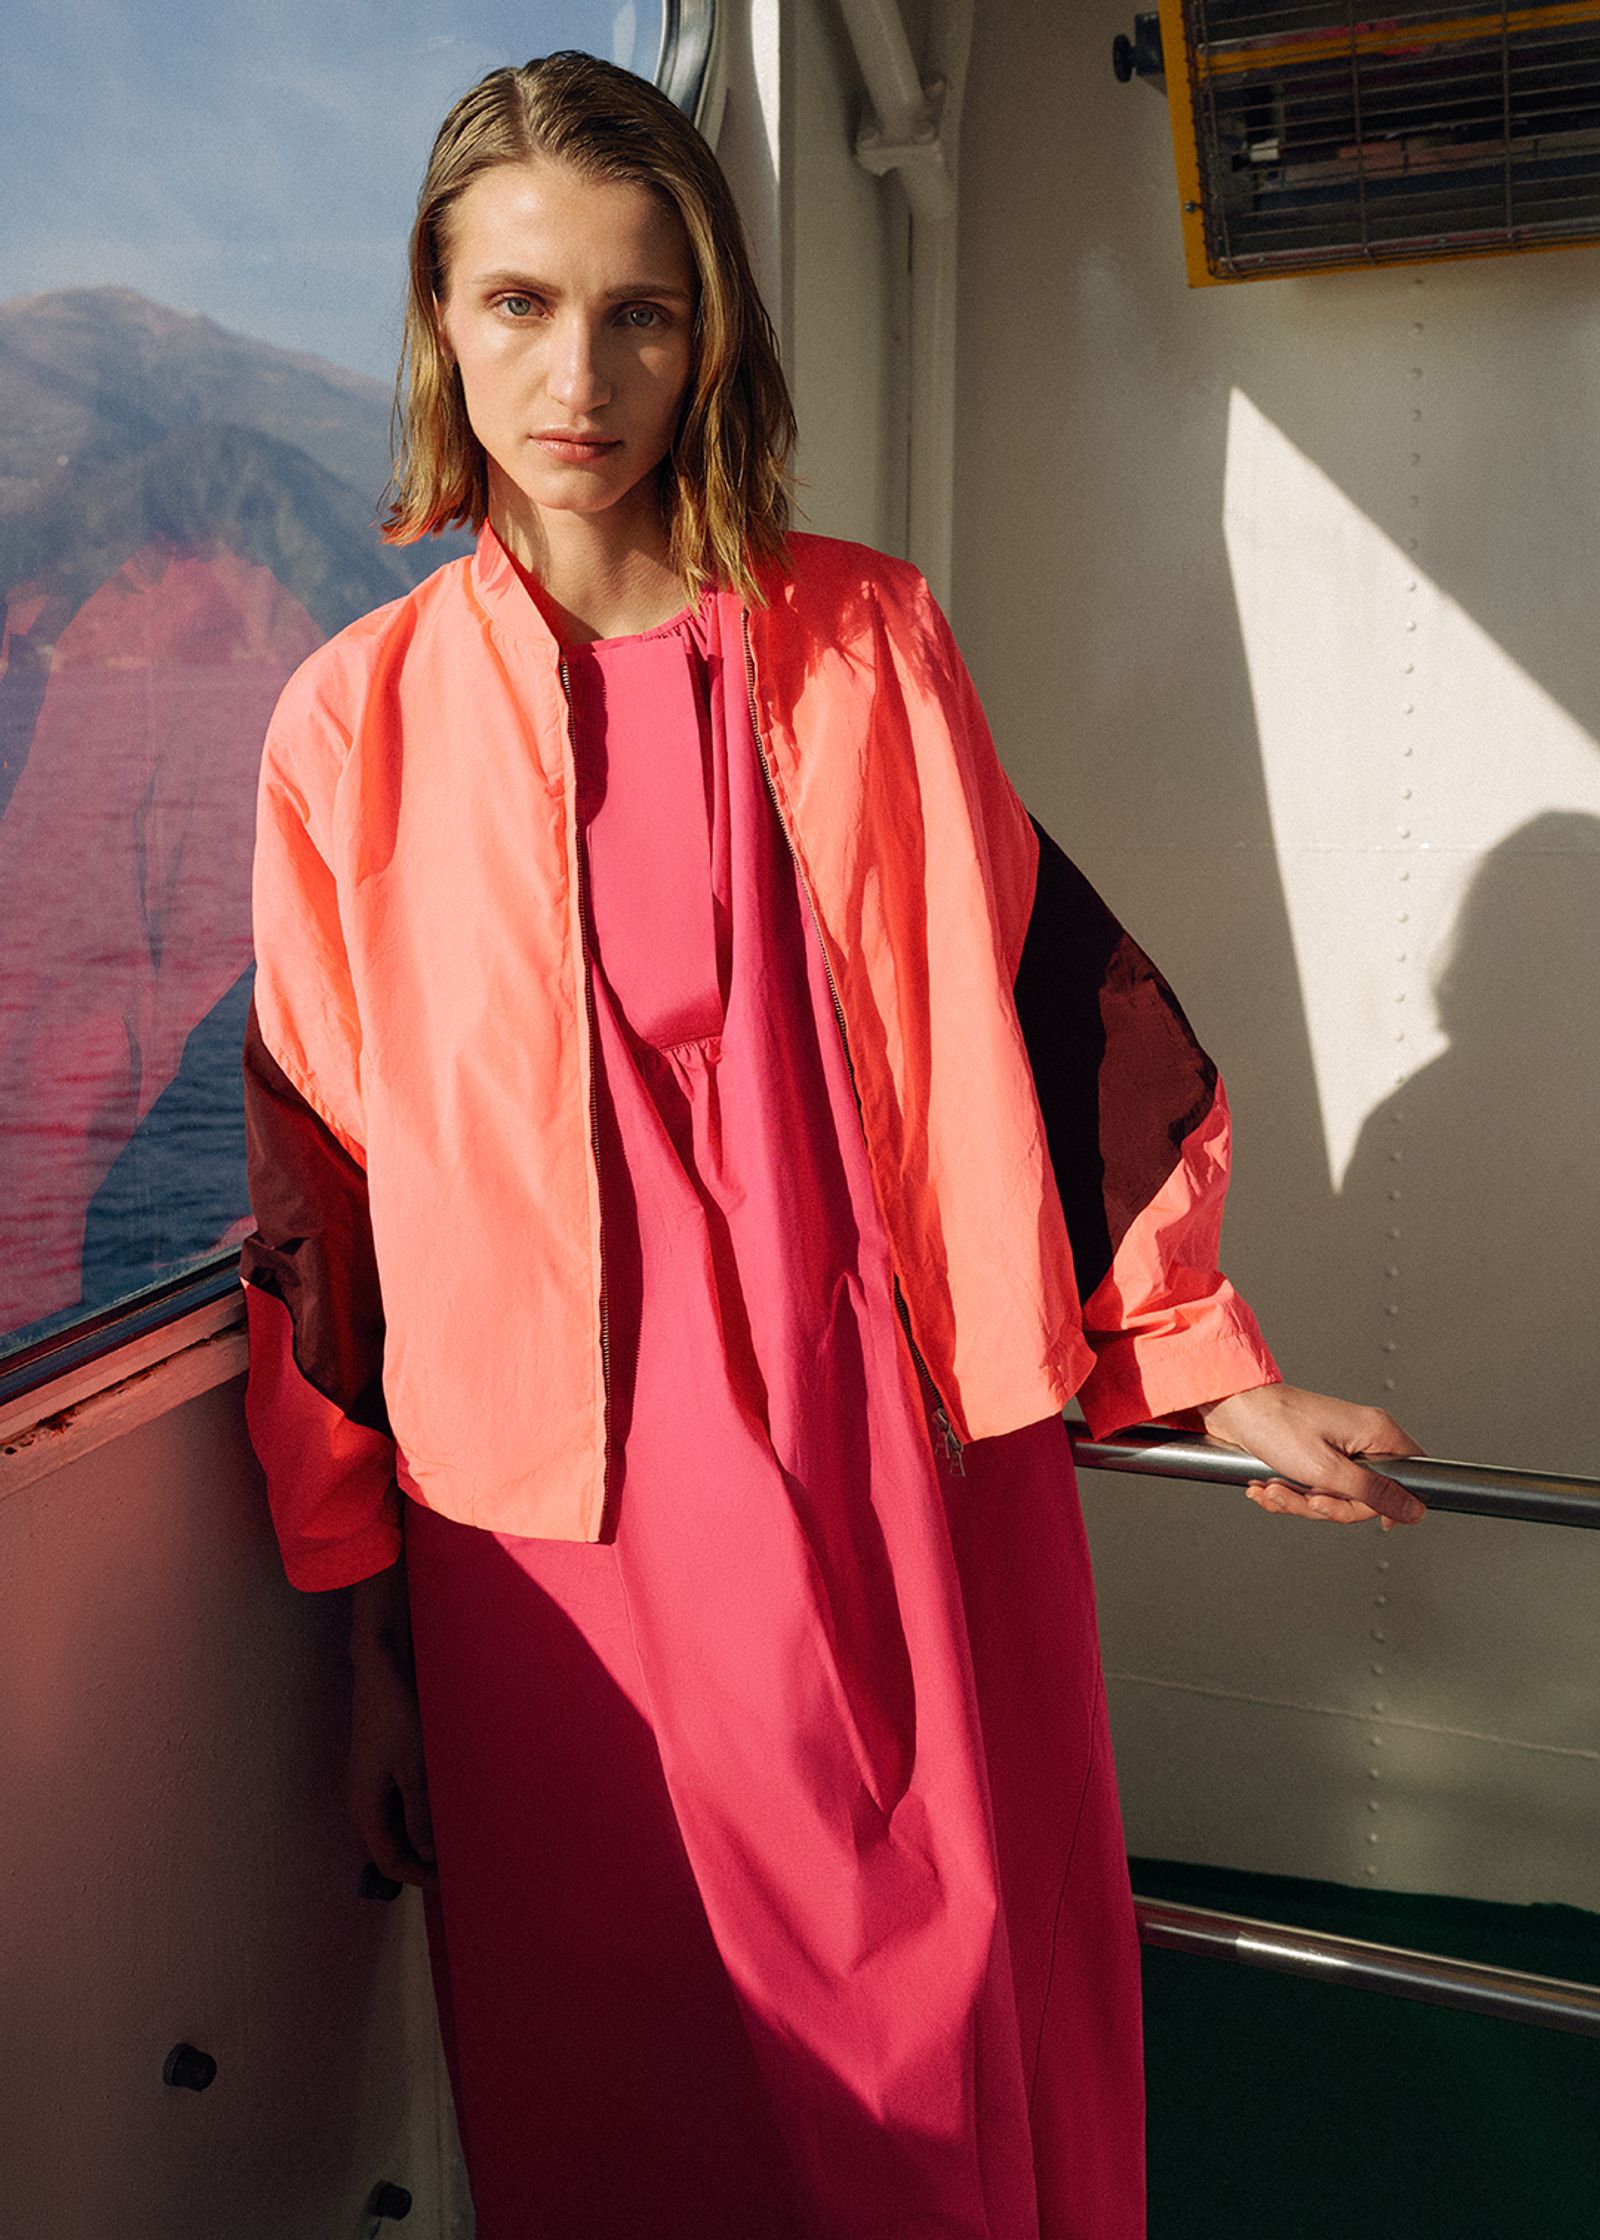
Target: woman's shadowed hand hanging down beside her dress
[[387, 1784]]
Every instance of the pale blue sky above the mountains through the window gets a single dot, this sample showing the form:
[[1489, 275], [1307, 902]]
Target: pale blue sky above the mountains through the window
[[254, 162]]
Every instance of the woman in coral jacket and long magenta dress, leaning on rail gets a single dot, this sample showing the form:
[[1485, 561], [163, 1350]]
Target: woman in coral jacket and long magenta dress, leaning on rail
[[703, 1135]]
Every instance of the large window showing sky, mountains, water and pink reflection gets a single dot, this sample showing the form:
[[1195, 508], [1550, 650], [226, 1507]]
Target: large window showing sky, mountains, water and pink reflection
[[201, 299]]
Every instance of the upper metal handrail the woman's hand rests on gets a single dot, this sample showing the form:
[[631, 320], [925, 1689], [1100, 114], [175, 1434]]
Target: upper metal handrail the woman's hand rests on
[[1536, 1497]]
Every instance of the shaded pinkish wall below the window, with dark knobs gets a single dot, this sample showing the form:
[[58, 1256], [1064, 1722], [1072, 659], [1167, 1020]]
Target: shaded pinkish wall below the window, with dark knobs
[[176, 1865]]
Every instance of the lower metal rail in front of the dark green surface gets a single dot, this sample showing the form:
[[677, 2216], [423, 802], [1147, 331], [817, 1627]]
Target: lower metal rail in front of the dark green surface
[[1373, 1968]]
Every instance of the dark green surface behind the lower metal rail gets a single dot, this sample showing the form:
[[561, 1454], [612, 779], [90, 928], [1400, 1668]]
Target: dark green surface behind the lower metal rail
[[1296, 2111]]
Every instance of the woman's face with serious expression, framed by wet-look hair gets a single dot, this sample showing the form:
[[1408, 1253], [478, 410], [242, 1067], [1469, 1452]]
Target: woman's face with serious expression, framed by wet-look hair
[[570, 317]]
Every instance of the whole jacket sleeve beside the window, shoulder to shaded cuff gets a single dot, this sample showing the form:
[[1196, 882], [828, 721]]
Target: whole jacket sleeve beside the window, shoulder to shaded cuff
[[315, 1397]]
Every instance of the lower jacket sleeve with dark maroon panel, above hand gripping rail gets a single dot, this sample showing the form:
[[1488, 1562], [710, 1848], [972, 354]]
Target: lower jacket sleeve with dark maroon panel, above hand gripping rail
[[1137, 1126]]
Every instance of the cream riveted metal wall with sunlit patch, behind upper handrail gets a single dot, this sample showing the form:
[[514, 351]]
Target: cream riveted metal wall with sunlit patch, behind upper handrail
[[1283, 604]]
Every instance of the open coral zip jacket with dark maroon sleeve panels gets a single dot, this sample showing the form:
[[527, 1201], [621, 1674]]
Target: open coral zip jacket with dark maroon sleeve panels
[[1045, 1137]]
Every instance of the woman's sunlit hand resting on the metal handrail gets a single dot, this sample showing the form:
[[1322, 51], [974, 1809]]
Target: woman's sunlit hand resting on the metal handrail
[[1312, 1441]]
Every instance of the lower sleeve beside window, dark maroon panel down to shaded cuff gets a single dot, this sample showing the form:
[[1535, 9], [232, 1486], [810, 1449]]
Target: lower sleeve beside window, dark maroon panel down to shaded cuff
[[315, 1399]]
